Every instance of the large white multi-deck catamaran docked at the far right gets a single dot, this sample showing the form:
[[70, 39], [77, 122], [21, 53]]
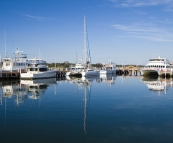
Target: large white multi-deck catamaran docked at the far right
[[157, 66]]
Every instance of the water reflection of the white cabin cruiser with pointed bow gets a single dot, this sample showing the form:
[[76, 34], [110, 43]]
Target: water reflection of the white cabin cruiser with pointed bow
[[36, 88]]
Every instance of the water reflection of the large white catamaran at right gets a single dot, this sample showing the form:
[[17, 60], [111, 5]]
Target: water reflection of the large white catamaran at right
[[158, 84]]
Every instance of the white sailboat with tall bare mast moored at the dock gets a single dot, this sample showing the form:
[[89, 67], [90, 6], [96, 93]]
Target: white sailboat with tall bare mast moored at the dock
[[88, 71]]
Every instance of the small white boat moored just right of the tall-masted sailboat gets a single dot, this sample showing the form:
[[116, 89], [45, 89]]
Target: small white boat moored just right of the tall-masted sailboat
[[109, 68]]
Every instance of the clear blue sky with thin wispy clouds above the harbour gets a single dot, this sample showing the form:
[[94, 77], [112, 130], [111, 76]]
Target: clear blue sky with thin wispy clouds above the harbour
[[131, 31]]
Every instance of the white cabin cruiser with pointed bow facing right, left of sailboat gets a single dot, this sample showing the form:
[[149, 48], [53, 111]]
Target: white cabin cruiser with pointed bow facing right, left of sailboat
[[37, 69]]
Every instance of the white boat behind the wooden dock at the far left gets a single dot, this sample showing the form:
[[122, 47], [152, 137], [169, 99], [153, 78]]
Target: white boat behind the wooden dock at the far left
[[19, 63]]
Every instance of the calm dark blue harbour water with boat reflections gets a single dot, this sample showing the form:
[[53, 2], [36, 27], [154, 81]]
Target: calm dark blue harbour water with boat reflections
[[95, 110]]
